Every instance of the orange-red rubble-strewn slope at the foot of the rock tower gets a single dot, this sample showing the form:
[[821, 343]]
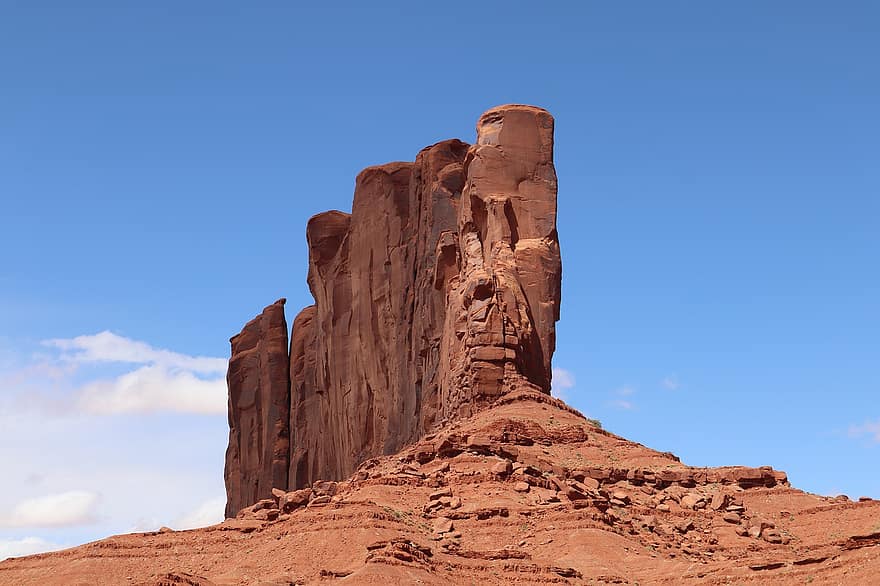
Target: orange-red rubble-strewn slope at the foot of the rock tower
[[527, 491]]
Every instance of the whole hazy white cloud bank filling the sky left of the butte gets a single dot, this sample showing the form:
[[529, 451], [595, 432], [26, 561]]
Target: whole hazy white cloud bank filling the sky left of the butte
[[59, 433]]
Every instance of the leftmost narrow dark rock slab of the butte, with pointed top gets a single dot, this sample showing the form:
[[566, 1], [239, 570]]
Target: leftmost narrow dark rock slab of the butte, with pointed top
[[258, 456]]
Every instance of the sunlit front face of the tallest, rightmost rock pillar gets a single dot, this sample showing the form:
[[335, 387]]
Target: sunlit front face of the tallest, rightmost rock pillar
[[503, 305]]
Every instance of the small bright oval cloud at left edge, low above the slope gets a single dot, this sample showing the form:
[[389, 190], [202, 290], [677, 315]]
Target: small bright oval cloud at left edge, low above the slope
[[76, 507]]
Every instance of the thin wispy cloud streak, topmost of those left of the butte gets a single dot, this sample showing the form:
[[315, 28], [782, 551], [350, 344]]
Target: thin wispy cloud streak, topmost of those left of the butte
[[109, 347]]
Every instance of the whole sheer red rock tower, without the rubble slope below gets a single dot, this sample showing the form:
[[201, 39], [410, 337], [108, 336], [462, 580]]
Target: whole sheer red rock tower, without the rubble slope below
[[435, 296]]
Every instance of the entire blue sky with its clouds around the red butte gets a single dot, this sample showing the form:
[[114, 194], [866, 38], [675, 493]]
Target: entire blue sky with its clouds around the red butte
[[719, 215]]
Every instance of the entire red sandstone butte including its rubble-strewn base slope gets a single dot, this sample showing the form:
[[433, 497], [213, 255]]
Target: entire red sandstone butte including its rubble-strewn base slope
[[406, 433]]
